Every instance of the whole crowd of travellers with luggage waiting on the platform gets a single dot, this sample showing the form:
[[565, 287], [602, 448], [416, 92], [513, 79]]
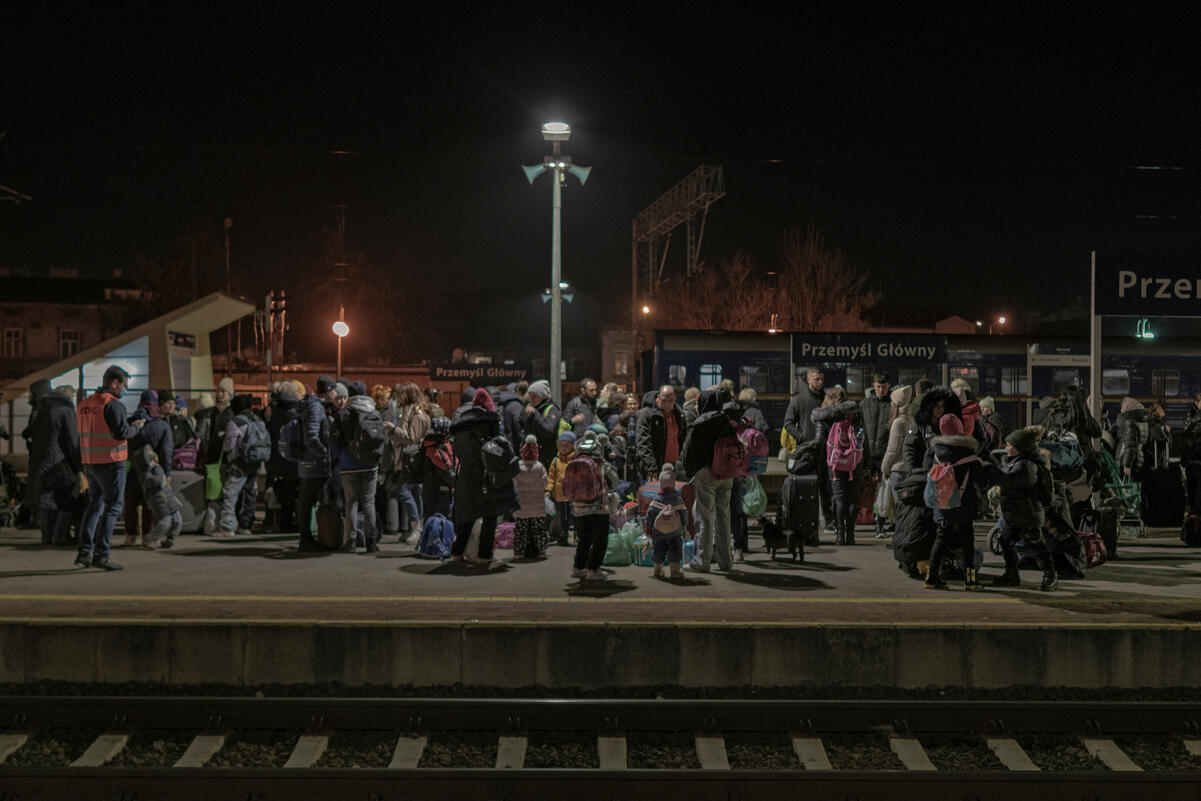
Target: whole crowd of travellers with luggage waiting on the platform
[[349, 465]]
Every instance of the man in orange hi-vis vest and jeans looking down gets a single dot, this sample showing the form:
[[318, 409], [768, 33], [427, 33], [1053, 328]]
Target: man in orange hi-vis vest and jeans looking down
[[105, 432]]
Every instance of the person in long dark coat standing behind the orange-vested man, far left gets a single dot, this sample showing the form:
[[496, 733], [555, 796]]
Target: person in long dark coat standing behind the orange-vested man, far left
[[55, 467]]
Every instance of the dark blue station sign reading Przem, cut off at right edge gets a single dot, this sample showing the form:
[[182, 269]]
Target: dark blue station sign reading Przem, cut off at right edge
[[1148, 285]]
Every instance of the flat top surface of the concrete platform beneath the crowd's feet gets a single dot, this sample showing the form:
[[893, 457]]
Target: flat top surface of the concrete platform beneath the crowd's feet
[[1155, 581]]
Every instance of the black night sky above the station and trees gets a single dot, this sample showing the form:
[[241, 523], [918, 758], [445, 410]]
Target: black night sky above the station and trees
[[966, 156]]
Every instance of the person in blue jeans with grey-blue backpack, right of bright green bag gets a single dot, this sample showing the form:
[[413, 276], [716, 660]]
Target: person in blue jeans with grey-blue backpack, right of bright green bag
[[246, 443]]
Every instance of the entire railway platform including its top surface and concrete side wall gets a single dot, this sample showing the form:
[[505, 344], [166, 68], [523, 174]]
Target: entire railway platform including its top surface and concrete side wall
[[253, 611]]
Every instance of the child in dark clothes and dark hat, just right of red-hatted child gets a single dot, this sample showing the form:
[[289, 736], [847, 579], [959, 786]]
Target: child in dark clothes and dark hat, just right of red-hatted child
[[1026, 492]]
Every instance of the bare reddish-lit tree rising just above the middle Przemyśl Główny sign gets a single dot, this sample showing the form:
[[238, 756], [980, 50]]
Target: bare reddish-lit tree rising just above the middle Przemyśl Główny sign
[[820, 289]]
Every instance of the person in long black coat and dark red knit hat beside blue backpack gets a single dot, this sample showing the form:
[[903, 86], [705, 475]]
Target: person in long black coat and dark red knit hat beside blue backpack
[[475, 498]]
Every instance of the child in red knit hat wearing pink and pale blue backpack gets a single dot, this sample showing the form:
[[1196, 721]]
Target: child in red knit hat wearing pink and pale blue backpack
[[954, 525]]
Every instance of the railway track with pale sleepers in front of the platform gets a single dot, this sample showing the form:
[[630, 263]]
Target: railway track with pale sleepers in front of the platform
[[378, 750]]
